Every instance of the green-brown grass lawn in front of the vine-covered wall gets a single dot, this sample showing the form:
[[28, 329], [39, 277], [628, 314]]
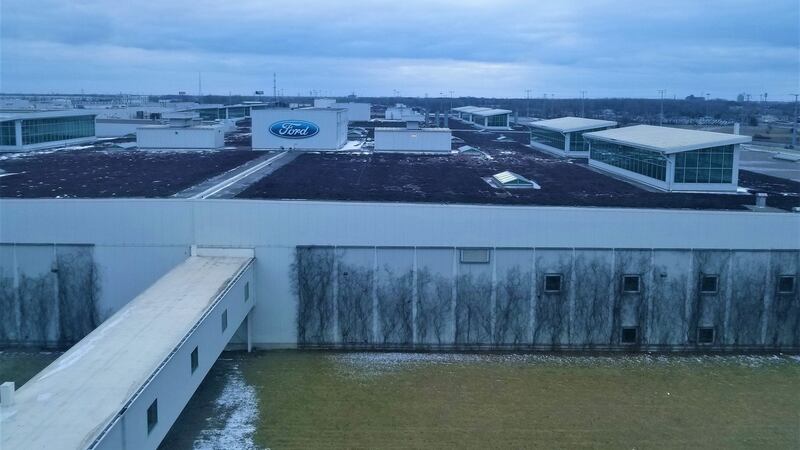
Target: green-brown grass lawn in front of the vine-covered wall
[[384, 400]]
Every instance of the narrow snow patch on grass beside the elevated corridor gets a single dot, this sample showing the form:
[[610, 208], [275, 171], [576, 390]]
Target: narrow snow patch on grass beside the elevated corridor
[[237, 406]]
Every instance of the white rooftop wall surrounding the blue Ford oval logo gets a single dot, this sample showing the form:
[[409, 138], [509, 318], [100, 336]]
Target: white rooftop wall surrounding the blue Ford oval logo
[[332, 124]]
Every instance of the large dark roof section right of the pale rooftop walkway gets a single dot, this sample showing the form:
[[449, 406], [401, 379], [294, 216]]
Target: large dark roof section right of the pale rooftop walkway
[[385, 177]]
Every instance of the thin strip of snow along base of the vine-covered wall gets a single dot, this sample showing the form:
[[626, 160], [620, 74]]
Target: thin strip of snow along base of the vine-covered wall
[[366, 365]]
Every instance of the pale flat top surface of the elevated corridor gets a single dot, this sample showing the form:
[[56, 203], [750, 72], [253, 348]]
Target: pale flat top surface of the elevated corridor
[[69, 403]]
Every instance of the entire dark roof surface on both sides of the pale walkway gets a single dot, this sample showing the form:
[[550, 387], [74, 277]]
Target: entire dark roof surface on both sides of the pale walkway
[[360, 176]]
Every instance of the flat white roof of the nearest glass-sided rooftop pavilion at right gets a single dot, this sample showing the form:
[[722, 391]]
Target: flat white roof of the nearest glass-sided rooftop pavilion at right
[[666, 139]]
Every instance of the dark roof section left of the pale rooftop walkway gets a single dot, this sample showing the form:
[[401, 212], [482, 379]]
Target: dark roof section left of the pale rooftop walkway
[[98, 172]]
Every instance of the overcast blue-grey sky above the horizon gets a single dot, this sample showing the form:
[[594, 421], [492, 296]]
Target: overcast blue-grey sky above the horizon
[[500, 48]]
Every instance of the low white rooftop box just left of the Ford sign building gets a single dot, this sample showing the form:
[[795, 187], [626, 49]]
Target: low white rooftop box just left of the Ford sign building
[[180, 137]]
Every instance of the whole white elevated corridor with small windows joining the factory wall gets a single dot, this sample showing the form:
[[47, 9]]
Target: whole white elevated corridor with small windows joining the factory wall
[[124, 384]]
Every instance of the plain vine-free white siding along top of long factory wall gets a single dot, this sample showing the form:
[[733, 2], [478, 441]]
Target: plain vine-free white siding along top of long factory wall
[[274, 228]]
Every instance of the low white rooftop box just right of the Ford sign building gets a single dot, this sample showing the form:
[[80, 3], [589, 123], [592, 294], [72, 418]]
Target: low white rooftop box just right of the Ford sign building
[[413, 139]]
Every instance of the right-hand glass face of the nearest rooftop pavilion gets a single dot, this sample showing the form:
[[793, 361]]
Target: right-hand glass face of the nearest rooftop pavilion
[[707, 165]]
